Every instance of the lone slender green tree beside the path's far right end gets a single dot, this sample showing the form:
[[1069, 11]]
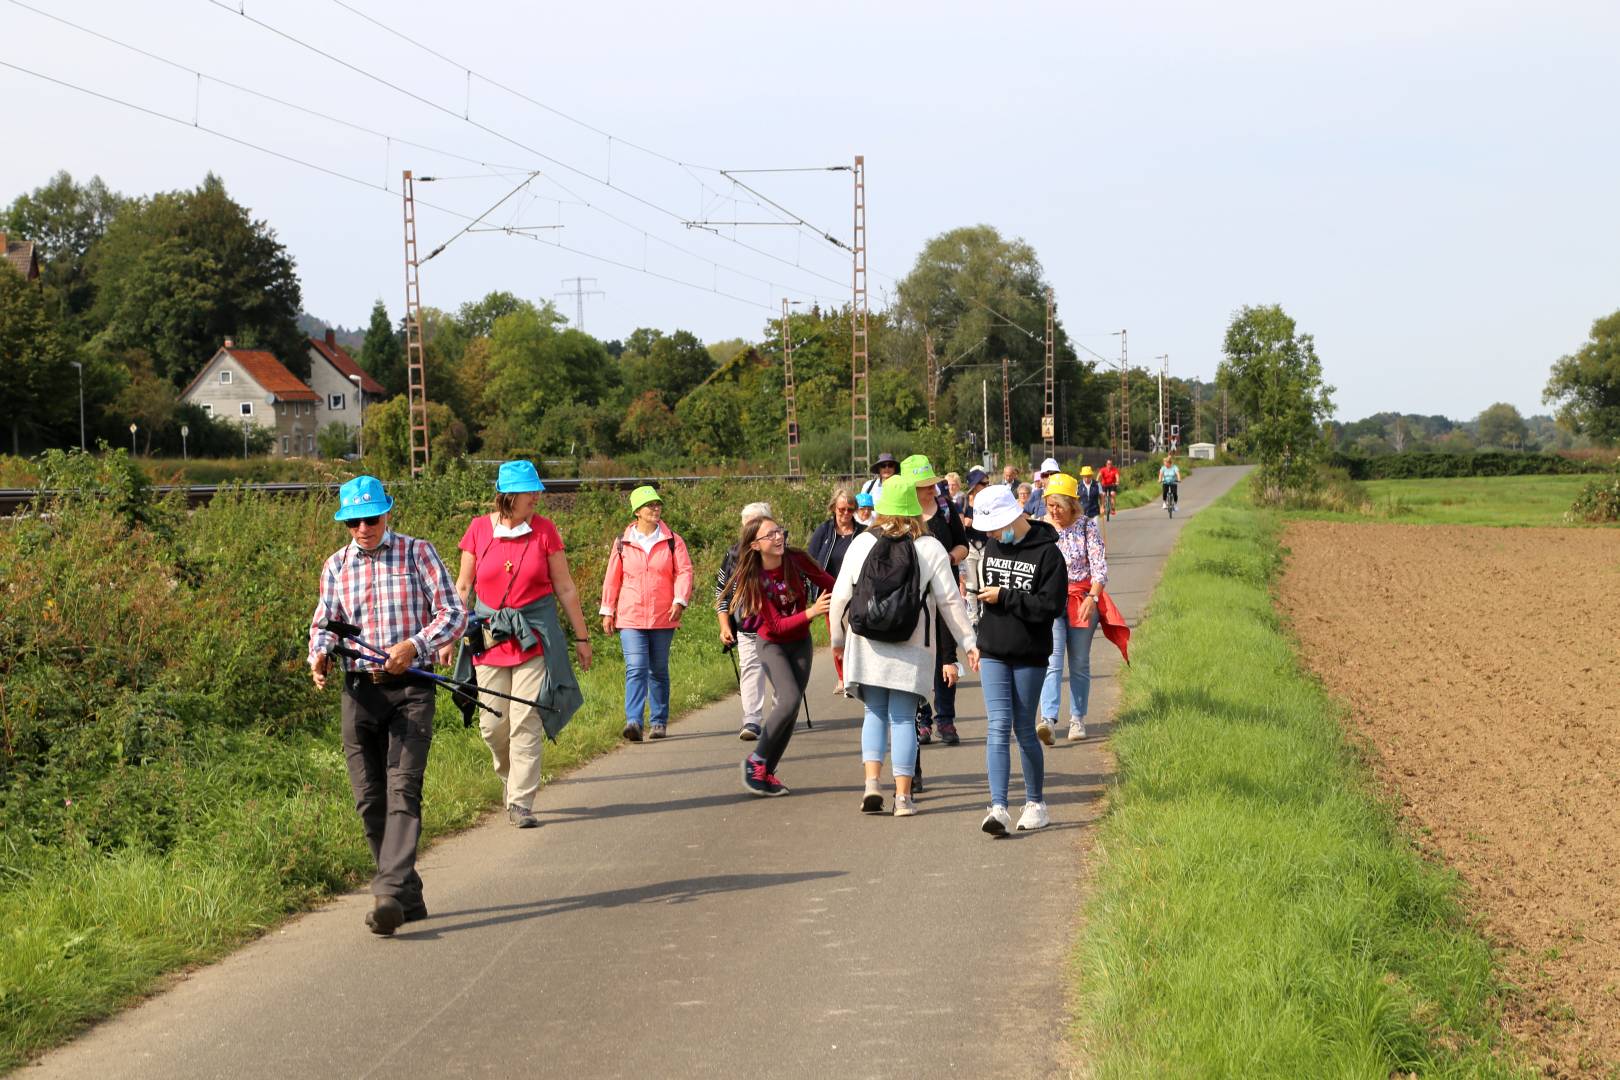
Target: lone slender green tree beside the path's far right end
[[1274, 378]]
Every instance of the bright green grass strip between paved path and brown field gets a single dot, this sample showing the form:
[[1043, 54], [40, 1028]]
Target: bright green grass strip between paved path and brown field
[[1258, 911]]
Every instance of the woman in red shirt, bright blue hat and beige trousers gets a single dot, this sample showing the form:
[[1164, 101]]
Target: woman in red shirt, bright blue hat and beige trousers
[[513, 559]]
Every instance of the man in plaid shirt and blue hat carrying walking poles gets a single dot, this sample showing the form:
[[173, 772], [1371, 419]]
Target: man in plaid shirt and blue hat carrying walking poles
[[399, 593]]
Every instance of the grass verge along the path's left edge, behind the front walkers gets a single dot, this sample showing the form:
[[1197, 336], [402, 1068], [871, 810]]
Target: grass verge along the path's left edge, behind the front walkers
[[88, 932]]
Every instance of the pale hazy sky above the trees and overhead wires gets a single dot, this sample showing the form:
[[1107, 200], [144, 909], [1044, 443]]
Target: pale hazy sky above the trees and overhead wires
[[1426, 187]]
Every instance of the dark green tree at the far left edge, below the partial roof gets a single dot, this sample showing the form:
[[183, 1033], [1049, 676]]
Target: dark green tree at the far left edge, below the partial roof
[[35, 376]]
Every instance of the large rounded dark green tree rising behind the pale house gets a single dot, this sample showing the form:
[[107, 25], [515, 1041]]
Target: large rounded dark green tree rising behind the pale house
[[179, 273]]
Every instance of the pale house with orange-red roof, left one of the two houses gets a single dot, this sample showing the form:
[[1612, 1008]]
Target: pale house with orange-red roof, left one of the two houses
[[250, 386]]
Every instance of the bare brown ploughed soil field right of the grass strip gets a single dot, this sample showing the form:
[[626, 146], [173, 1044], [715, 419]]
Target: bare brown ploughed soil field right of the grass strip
[[1481, 668]]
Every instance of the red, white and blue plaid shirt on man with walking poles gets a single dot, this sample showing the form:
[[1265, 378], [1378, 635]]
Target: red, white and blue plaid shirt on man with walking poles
[[399, 590]]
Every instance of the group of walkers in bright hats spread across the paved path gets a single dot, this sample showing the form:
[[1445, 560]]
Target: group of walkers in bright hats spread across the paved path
[[914, 574]]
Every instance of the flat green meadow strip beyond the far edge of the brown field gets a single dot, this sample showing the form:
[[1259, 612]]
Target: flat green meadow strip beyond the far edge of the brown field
[[1506, 501]]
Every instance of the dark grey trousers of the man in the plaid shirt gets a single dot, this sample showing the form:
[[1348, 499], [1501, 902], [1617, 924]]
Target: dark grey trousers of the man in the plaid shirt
[[388, 729]]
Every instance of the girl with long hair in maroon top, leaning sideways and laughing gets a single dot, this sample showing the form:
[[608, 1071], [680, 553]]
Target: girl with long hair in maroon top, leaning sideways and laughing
[[769, 595]]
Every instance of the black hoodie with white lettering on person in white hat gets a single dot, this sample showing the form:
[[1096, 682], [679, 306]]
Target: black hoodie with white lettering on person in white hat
[[1034, 589]]
